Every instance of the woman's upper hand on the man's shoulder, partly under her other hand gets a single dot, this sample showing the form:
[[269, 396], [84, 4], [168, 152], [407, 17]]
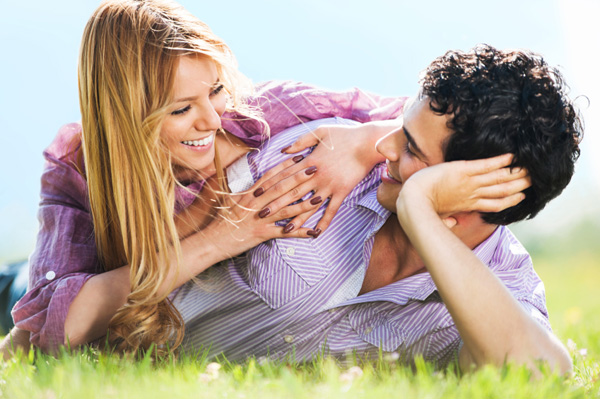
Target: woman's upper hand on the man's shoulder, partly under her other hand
[[344, 155]]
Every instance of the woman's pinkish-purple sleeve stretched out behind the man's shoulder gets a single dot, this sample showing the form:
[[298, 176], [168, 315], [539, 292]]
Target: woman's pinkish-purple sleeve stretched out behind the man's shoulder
[[285, 104]]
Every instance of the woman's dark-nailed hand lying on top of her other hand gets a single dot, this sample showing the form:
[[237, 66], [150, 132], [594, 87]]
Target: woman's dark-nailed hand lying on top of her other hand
[[243, 220]]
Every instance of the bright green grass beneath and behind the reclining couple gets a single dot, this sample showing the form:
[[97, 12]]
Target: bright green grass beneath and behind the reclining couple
[[571, 275]]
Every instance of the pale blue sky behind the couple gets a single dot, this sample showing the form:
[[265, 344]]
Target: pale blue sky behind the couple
[[377, 45]]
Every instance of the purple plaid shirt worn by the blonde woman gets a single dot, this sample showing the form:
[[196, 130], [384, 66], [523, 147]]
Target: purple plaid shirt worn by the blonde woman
[[65, 253]]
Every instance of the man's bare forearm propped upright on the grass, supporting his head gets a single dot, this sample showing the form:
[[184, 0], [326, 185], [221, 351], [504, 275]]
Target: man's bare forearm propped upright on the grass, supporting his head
[[492, 324]]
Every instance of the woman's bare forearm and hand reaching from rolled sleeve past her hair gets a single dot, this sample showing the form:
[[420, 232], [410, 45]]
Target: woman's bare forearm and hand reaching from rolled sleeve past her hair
[[225, 236]]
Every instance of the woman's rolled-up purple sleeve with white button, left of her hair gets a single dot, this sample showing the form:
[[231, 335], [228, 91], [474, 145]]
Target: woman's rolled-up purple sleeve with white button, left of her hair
[[64, 257]]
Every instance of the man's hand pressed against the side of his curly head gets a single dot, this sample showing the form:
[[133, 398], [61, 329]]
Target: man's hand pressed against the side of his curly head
[[484, 185]]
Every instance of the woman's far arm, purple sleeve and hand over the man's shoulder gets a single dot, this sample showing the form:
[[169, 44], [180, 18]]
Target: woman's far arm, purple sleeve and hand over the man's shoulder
[[345, 154]]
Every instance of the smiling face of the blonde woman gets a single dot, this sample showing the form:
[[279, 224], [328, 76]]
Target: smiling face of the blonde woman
[[194, 116]]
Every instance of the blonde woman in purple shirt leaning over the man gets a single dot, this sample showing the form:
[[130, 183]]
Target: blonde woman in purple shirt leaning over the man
[[134, 200]]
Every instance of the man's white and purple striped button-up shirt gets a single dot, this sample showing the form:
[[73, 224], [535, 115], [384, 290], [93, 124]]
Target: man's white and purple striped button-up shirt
[[299, 297]]
